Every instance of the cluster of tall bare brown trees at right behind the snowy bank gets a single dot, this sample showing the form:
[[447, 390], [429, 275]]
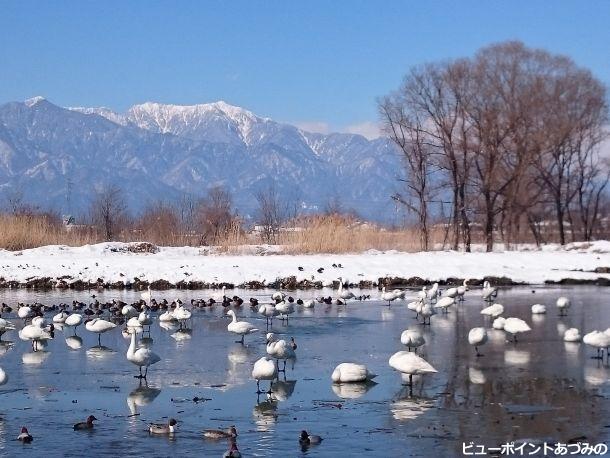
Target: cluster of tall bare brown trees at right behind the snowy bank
[[509, 138]]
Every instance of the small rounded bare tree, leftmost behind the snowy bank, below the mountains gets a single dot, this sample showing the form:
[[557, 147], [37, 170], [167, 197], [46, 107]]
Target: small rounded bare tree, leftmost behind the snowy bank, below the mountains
[[108, 210]]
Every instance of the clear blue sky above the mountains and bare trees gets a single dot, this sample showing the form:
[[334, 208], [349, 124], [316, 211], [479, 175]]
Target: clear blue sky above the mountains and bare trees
[[320, 64]]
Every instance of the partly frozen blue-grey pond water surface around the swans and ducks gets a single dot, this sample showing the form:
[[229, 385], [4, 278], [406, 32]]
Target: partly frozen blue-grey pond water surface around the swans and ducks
[[538, 389]]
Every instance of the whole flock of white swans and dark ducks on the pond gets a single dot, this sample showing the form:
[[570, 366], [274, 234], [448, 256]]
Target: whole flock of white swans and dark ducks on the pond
[[137, 318]]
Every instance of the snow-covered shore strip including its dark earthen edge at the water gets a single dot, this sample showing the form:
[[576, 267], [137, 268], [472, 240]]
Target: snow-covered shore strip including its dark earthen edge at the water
[[116, 265]]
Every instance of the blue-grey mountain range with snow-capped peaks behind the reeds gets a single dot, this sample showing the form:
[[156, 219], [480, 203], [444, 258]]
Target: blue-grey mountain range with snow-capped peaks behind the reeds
[[57, 157]]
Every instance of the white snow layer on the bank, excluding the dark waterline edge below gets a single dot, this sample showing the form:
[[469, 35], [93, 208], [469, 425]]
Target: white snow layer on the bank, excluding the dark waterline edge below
[[111, 262]]
